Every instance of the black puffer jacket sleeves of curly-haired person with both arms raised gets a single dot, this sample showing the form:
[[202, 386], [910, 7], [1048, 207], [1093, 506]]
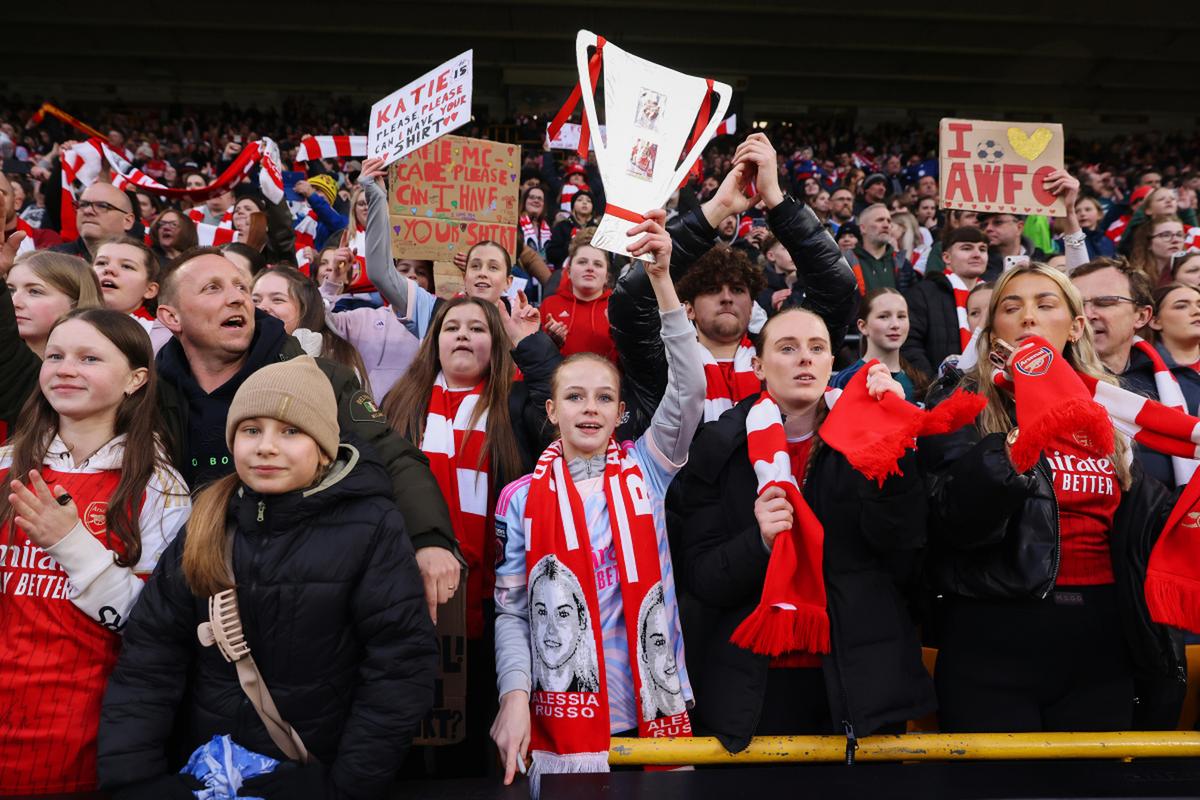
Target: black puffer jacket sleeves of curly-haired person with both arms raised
[[825, 286]]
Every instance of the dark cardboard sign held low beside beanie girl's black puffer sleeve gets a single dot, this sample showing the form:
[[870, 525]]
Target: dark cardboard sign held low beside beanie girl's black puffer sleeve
[[447, 723]]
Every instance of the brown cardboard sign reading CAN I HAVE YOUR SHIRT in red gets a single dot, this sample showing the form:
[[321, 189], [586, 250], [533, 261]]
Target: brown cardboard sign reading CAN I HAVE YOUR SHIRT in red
[[453, 194]]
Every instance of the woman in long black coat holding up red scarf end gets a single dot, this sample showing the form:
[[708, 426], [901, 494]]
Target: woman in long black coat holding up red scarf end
[[803, 530]]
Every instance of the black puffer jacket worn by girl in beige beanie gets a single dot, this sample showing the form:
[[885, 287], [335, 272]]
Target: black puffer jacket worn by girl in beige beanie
[[334, 611]]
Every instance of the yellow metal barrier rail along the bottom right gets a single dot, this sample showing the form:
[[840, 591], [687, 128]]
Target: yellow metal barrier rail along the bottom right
[[910, 748]]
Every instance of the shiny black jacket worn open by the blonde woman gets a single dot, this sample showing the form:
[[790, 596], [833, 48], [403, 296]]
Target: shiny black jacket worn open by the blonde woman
[[994, 534]]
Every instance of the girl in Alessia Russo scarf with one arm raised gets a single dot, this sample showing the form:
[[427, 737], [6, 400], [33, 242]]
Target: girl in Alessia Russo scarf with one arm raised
[[587, 631]]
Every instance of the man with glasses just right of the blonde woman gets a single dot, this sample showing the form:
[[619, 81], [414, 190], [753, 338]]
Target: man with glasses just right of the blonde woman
[[1118, 304]]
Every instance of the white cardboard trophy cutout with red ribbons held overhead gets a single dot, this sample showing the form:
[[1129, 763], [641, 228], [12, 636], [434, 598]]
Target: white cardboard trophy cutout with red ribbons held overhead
[[650, 115]]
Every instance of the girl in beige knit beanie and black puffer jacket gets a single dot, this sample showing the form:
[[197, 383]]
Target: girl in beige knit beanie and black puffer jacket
[[331, 604]]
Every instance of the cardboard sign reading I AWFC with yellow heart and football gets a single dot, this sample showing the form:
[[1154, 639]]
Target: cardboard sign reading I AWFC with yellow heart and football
[[1000, 167]]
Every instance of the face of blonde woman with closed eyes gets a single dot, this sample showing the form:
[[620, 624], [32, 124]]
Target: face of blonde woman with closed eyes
[[1033, 305]]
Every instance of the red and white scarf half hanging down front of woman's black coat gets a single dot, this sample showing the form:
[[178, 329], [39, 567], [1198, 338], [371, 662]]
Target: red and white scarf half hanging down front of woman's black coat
[[791, 615]]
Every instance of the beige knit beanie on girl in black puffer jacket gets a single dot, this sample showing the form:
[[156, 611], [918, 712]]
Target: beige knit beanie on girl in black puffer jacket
[[295, 392]]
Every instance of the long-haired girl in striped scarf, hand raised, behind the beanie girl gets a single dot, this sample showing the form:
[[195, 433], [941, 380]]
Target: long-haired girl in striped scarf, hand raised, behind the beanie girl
[[461, 405]]
